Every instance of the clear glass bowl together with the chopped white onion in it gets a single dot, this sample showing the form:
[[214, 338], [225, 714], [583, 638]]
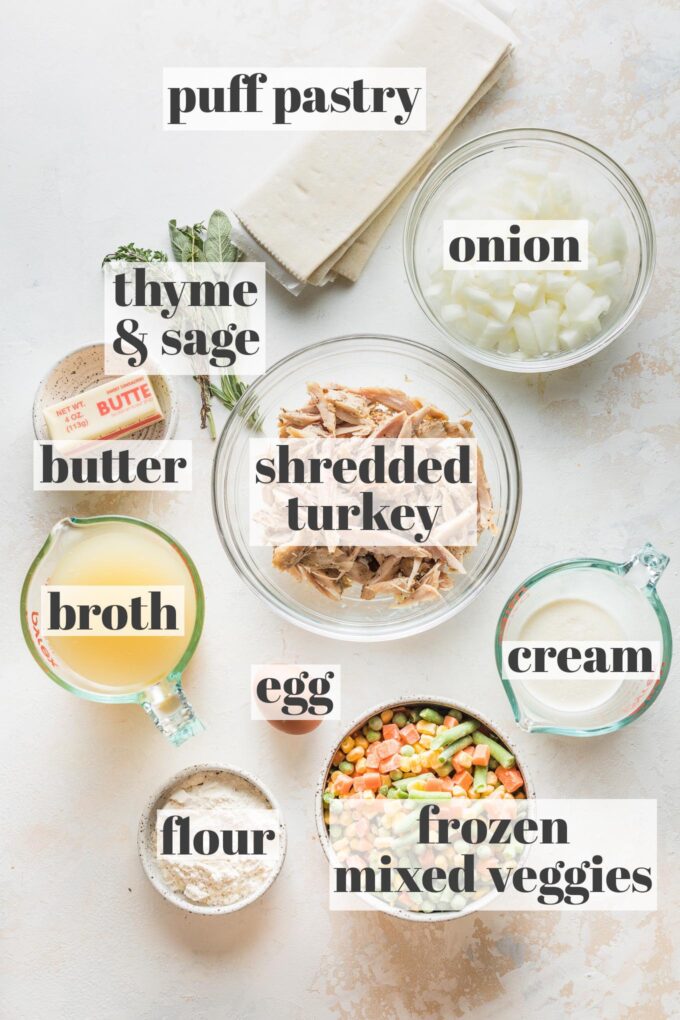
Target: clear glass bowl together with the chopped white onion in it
[[515, 299]]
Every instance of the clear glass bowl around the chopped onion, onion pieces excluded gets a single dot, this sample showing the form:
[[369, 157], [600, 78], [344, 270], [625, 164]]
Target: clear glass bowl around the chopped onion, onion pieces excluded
[[609, 188]]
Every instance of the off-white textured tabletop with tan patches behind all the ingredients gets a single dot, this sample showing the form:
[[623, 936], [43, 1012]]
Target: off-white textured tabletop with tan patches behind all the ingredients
[[86, 167]]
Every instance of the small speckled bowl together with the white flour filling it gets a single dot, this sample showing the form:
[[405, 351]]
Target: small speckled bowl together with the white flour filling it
[[249, 840]]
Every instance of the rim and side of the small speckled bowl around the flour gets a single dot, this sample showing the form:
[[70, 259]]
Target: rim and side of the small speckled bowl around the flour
[[146, 840]]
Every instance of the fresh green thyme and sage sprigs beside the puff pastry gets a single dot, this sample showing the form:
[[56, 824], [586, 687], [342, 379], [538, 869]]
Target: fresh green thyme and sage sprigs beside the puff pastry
[[197, 244]]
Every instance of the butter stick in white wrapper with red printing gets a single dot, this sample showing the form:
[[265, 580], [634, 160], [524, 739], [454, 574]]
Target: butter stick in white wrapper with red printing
[[109, 412]]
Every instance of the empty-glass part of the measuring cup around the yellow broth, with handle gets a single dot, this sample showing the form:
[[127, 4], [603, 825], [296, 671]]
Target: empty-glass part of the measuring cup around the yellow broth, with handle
[[163, 699]]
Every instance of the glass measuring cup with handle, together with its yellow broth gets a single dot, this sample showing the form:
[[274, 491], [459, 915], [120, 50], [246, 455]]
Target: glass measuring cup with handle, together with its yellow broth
[[135, 558]]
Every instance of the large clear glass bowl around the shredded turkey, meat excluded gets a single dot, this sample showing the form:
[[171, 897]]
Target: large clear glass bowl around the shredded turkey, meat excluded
[[362, 361]]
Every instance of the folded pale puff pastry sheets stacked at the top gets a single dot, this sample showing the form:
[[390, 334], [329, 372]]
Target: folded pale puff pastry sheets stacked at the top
[[322, 213]]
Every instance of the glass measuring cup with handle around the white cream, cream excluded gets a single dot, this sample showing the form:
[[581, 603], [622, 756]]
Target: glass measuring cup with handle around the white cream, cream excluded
[[632, 587]]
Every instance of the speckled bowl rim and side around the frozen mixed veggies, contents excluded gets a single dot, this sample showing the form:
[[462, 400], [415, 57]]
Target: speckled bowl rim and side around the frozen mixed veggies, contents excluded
[[394, 703]]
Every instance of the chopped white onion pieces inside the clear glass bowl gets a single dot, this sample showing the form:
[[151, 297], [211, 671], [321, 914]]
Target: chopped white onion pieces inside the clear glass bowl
[[526, 313]]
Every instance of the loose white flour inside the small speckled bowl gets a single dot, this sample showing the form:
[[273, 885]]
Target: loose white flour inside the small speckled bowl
[[218, 882]]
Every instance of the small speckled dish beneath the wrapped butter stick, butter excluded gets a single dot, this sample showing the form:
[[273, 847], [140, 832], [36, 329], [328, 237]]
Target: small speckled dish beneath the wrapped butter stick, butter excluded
[[83, 370]]
